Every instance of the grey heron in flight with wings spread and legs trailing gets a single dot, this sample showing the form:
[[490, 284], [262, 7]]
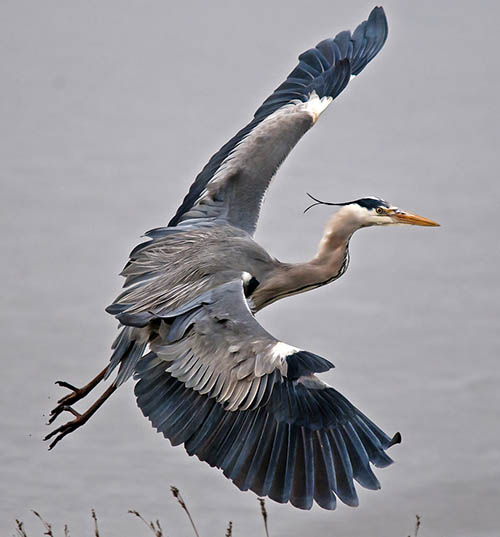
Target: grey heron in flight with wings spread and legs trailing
[[209, 376]]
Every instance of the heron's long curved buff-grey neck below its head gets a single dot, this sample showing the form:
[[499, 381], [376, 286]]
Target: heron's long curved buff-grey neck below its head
[[329, 263]]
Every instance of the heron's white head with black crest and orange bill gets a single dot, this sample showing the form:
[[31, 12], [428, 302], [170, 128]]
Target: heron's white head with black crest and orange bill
[[373, 211]]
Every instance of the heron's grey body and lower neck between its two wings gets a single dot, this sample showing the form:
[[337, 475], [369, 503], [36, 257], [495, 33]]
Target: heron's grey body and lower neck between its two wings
[[217, 255]]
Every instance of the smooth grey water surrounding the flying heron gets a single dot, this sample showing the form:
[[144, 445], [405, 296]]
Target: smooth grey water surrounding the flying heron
[[108, 111]]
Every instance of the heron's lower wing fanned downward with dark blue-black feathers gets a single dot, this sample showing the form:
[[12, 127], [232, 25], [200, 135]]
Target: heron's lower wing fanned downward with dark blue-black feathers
[[251, 405]]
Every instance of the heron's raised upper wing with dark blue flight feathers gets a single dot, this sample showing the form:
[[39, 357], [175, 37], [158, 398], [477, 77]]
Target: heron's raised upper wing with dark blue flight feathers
[[232, 185]]
